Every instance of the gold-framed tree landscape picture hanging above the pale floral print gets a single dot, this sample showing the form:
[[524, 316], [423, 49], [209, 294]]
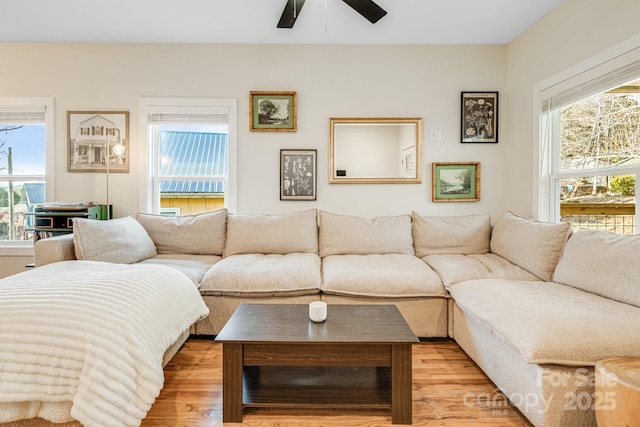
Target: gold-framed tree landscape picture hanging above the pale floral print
[[272, 111]]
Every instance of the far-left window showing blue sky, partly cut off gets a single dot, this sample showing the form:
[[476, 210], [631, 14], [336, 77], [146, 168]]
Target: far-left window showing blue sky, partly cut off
[[26, 163]]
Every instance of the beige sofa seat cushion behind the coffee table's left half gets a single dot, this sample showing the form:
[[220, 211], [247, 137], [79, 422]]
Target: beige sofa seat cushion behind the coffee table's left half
[[263, 275]]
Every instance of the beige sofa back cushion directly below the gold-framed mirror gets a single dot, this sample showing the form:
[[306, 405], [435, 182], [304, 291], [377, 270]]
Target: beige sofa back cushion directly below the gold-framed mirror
[[344, 234]]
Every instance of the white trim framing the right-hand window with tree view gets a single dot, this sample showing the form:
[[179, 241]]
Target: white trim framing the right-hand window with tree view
[[543, 190]]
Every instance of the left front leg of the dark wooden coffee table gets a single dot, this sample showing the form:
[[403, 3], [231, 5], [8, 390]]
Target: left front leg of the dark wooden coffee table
[[231, 383]]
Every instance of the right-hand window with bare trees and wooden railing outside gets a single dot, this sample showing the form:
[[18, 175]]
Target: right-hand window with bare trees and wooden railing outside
[[590, 147]]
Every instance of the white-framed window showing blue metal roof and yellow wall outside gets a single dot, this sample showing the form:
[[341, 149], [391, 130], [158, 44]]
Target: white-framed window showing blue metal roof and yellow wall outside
[[190, 152]]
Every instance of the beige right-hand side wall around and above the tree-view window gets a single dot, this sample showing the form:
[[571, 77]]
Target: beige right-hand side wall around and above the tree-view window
[[572, 33]]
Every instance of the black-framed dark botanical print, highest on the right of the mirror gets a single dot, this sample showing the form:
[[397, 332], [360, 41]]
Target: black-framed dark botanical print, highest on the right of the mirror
[[479, 117]]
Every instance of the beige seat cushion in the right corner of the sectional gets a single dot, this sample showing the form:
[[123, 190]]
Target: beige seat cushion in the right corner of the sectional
[[454, 268]]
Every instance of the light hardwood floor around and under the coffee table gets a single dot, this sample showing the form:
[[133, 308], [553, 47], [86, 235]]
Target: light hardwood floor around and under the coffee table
[[449, 390]]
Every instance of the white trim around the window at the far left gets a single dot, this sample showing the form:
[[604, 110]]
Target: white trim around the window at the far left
[[25, 248]]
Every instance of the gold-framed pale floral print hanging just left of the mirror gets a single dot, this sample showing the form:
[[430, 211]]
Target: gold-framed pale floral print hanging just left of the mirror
[[298, 174]]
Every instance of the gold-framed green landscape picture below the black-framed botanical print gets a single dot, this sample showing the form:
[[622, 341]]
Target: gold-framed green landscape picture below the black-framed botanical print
[[456, 182]]
